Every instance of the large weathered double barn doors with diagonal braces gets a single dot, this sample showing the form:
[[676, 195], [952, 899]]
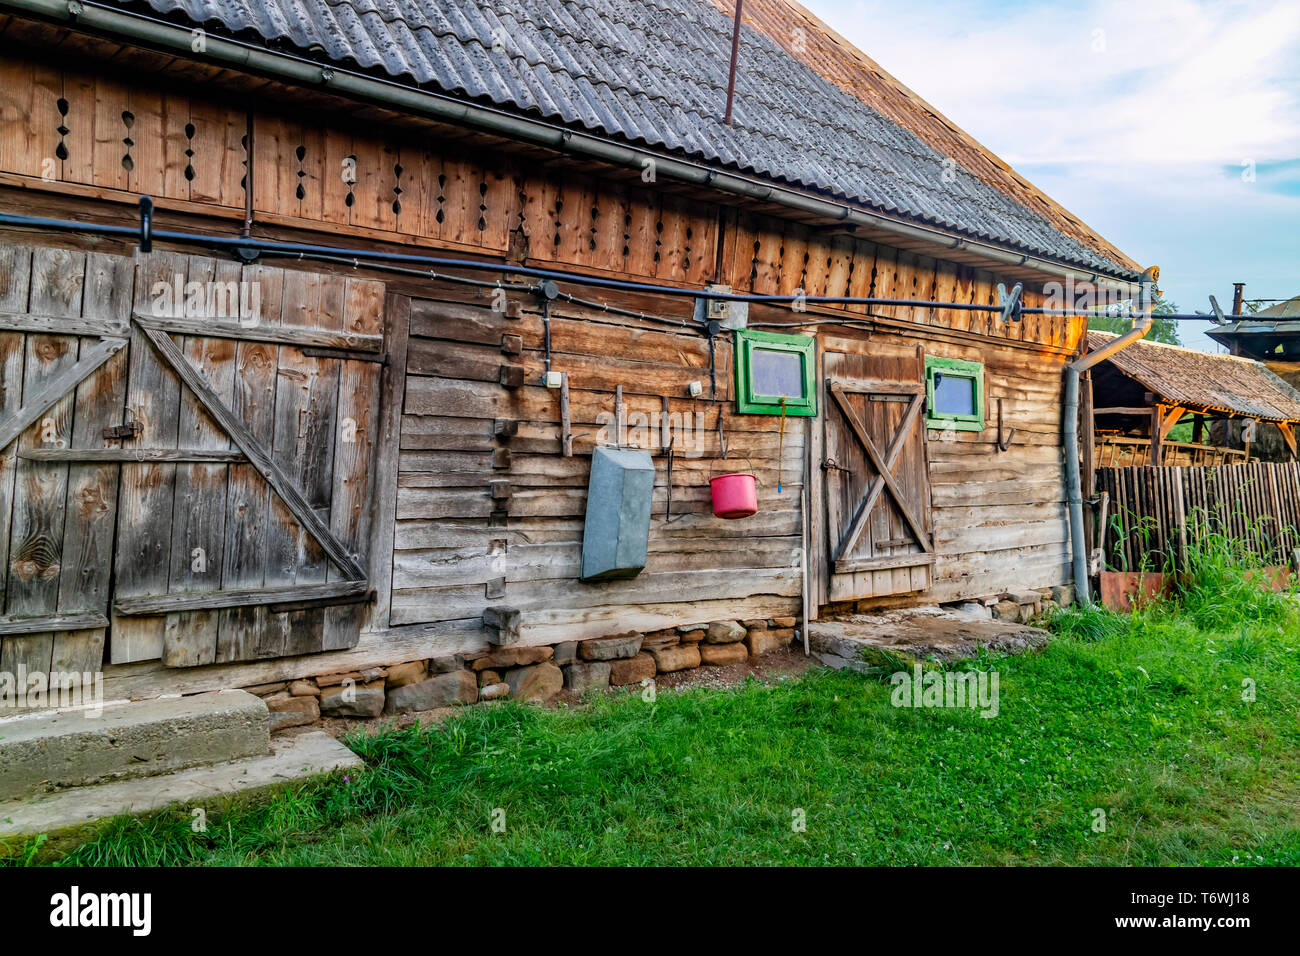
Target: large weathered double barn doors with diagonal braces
[[185, 458]]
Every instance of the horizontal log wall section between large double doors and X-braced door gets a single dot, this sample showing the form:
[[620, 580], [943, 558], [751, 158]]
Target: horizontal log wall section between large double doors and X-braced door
[[491, 512]]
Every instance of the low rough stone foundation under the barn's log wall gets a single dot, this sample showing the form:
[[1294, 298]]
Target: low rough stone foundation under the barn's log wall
[[525, 674]]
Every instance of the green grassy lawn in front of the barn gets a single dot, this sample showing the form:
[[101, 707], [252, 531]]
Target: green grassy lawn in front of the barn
[[1138, 716]]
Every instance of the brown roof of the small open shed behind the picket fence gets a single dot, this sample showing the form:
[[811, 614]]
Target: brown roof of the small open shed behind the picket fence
[[1204, 380]]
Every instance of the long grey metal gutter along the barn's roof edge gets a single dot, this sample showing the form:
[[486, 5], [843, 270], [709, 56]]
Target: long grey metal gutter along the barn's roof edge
[[288, 67]]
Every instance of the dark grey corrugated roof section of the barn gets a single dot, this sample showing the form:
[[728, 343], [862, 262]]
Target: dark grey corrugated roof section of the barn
[[653, 72]]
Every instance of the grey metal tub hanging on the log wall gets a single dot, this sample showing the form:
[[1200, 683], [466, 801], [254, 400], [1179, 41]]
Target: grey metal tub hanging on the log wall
[[618, 514]]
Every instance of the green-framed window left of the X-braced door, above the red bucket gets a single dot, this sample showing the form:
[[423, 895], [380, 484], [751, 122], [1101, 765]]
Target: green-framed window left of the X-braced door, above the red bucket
[[772, 367]]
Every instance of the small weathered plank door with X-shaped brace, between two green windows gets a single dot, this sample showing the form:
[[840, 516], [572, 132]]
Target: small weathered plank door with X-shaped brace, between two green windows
[[877, 478]]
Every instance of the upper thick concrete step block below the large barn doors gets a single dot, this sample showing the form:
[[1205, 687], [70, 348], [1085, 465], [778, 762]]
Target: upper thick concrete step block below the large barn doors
[[53, 751]]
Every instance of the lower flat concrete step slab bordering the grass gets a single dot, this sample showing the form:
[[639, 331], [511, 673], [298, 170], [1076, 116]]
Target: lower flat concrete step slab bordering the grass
[[64, 815]]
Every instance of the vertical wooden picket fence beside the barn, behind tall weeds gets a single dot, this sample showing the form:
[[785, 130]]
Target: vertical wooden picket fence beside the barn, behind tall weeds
[[1152, 517]]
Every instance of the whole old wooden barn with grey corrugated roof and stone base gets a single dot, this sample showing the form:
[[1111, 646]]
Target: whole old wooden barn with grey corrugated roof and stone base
[[331, 412]]
